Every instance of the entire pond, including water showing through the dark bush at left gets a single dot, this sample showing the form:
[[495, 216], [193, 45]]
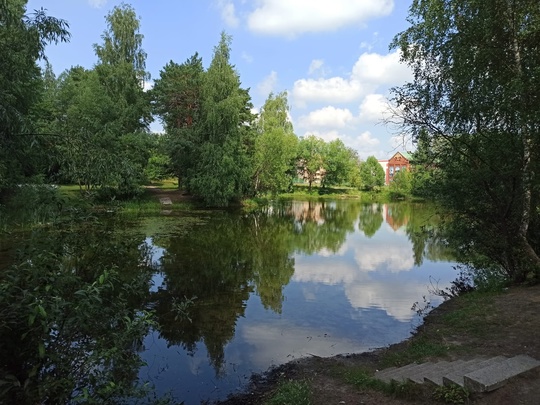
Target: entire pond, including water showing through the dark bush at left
[[232, 292]]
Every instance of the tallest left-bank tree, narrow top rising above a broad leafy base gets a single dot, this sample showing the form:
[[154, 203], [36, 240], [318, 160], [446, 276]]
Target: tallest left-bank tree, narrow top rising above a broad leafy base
[[103, 113]]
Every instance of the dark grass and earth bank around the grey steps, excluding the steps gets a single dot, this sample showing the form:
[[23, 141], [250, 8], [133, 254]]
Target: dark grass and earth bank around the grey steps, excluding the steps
[[475, 324]]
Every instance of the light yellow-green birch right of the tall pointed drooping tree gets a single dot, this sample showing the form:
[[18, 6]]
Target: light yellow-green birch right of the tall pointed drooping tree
[[275, 147]]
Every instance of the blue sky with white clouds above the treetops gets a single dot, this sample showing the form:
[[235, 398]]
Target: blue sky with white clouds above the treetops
[[331, 56]]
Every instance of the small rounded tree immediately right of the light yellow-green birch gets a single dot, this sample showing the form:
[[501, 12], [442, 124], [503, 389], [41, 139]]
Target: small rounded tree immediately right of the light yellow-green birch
[[311, 155]]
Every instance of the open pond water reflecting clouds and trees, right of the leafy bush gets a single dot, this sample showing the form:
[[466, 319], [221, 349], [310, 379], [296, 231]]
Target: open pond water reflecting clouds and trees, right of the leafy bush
[[293, 280]]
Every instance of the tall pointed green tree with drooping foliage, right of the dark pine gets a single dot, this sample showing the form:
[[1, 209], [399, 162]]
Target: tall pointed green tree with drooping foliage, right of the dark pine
[[223, 167]]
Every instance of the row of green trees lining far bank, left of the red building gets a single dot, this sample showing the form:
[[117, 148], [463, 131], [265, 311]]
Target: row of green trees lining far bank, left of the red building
[[91, 126]]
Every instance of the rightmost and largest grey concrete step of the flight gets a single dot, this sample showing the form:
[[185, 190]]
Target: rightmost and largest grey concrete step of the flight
[[495, 376]]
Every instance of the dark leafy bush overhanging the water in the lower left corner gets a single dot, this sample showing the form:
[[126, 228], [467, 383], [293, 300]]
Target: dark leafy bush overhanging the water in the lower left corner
[[68, 330]]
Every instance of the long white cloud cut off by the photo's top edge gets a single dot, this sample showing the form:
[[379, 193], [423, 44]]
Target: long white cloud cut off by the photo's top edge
[[291, 18]]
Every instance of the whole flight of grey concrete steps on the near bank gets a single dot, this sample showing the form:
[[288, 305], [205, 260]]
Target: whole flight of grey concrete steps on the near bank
[[476, 375]]
